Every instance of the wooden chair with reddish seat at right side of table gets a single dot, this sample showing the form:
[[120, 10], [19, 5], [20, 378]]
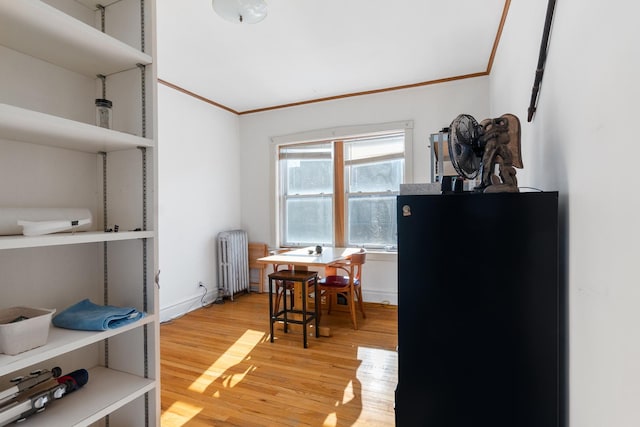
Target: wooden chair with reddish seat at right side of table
[[349, 285]]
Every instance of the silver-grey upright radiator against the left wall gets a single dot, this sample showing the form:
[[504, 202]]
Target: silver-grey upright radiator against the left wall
[[233, 263]]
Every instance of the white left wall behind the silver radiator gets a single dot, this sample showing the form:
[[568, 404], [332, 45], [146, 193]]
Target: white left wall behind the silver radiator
[[199, 195]]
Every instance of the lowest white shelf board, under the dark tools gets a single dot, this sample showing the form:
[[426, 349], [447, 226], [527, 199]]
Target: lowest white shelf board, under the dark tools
[[106, 391]]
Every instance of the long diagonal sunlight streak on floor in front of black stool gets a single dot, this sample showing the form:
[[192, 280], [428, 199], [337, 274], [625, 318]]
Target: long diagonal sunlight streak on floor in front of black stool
[[231, 357]]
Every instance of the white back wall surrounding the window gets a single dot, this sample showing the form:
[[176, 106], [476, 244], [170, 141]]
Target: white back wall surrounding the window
[[430, 108]]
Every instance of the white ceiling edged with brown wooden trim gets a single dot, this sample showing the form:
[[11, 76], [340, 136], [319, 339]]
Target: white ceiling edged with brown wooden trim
[[312, 49]]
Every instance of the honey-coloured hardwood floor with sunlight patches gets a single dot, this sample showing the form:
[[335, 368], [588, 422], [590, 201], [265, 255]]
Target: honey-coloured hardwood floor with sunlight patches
[[218, 368]]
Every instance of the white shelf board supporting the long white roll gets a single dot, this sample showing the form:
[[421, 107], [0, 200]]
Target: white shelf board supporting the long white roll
[[58, 239]]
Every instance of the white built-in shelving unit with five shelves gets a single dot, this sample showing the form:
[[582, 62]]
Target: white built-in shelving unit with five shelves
[[56, 58]]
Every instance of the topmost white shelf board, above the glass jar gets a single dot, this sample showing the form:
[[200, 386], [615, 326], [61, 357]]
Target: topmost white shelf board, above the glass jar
[[42, 31]]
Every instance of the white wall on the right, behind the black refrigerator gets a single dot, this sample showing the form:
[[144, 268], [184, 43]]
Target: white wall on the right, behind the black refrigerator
[[582, 143]]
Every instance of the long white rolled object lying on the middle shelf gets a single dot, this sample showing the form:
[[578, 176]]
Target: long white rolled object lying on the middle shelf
[[38, 221]]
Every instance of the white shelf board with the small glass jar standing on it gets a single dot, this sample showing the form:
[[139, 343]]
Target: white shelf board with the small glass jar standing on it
[[19, 124]]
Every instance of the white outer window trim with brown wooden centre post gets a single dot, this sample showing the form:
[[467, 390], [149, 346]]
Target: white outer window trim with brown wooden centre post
[[333, 134]]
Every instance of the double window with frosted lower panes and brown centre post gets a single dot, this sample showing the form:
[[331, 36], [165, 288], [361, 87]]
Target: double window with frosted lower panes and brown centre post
[[341, 191]]
